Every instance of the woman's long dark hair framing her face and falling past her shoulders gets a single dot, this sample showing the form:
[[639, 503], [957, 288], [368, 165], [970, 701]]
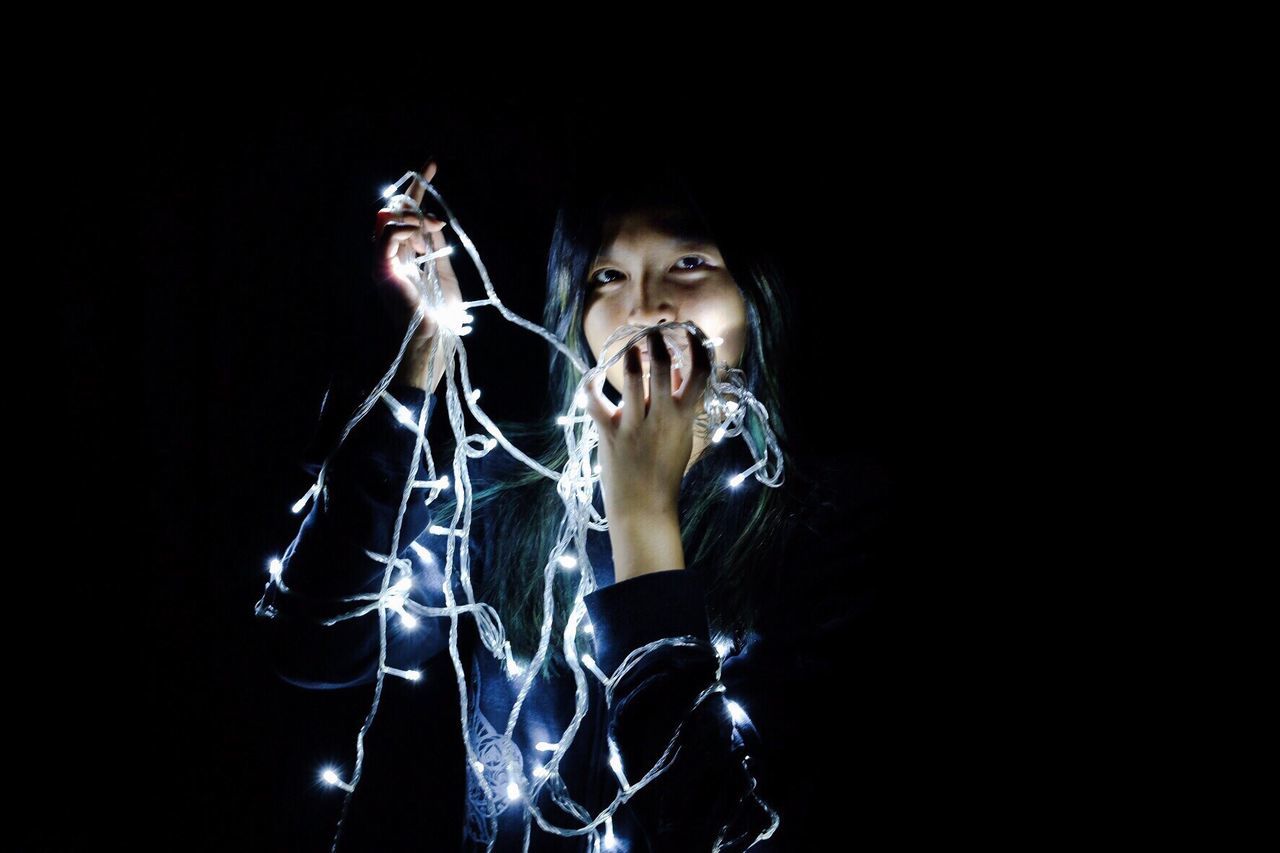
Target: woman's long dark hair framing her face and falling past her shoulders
[[733, 536]]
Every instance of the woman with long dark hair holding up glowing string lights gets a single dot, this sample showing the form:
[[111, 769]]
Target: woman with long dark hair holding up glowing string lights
[[772, 590]]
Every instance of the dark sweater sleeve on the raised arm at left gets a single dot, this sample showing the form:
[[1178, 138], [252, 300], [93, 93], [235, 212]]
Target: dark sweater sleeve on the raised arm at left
[[335, 556]]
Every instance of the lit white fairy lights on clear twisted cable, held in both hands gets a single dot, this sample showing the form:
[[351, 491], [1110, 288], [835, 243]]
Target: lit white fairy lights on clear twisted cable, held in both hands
[[728, 404]]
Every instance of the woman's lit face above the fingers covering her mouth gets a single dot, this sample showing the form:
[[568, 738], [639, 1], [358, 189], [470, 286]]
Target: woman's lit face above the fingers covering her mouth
[[648, 273]]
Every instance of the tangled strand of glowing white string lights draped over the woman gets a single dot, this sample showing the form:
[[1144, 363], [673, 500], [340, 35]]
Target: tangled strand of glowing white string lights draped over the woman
[[726, 407]]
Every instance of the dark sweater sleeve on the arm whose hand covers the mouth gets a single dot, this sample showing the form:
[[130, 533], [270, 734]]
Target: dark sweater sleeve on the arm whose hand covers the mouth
[[707, 793]]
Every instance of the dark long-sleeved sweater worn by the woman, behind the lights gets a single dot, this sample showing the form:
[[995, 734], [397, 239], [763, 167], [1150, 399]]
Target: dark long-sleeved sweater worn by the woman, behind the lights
[[819, 647]]
